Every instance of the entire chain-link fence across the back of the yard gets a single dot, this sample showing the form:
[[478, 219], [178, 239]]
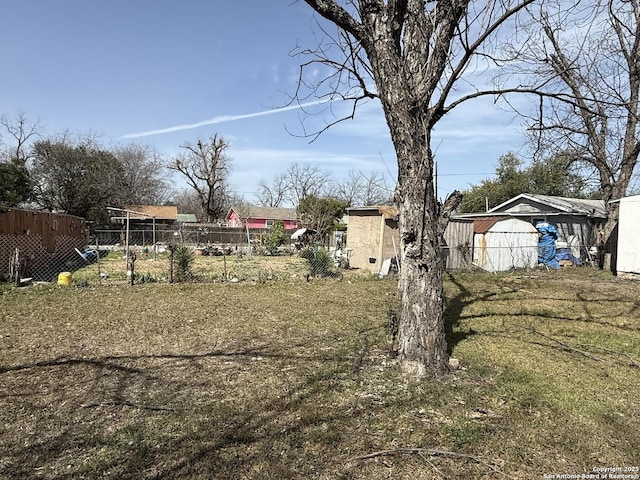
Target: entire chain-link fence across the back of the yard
[[105, 257]]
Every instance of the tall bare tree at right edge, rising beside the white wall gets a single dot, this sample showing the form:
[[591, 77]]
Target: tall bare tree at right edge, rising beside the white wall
[[582, 61]]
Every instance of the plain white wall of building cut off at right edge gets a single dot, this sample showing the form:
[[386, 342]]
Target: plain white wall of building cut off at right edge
[[628, 261]]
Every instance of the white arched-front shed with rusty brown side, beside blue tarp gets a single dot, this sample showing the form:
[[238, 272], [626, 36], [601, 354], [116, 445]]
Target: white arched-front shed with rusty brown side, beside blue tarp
[[501, 244]]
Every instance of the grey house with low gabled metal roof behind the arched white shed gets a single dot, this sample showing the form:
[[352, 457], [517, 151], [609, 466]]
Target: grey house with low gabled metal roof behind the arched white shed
[[577, 220]]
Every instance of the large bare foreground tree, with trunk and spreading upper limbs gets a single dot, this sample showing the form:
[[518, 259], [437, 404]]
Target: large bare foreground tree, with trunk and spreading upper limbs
[[415, 53]]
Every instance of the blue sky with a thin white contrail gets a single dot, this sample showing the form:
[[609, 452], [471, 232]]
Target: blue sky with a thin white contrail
[[124, 69]]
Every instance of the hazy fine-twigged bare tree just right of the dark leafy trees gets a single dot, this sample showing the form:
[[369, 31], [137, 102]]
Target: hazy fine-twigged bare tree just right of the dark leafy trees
[[143, 169]]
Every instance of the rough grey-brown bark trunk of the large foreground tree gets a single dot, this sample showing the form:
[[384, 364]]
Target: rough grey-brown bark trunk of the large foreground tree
[[421, 337]]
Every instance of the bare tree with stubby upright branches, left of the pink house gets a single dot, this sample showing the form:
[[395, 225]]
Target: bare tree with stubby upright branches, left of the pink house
[[206, 167]]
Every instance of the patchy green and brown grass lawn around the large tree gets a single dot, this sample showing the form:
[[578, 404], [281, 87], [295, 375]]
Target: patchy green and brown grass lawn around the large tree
[[291, 380]]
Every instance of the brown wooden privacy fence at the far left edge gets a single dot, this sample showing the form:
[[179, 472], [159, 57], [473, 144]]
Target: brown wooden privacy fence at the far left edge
[[39, 245]]
